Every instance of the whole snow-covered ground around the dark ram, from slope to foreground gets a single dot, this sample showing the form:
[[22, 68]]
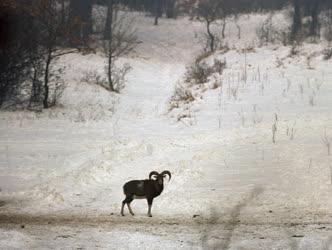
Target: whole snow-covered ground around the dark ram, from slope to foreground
[[62, 170]]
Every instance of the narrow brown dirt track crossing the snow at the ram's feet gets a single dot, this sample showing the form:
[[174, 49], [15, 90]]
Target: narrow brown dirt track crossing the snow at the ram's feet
[[113, 220]]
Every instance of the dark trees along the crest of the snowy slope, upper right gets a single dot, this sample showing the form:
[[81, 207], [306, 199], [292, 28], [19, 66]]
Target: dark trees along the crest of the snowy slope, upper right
[[306, 16]]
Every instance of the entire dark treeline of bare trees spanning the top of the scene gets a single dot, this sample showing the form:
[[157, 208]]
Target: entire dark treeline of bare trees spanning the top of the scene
[[35, 33]]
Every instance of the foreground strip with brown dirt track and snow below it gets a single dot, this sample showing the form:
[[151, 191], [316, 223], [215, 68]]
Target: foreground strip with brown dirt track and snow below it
[[115, 232]]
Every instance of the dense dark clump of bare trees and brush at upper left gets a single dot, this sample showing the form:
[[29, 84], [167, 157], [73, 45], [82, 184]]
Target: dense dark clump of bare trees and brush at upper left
[[33, 35]]
